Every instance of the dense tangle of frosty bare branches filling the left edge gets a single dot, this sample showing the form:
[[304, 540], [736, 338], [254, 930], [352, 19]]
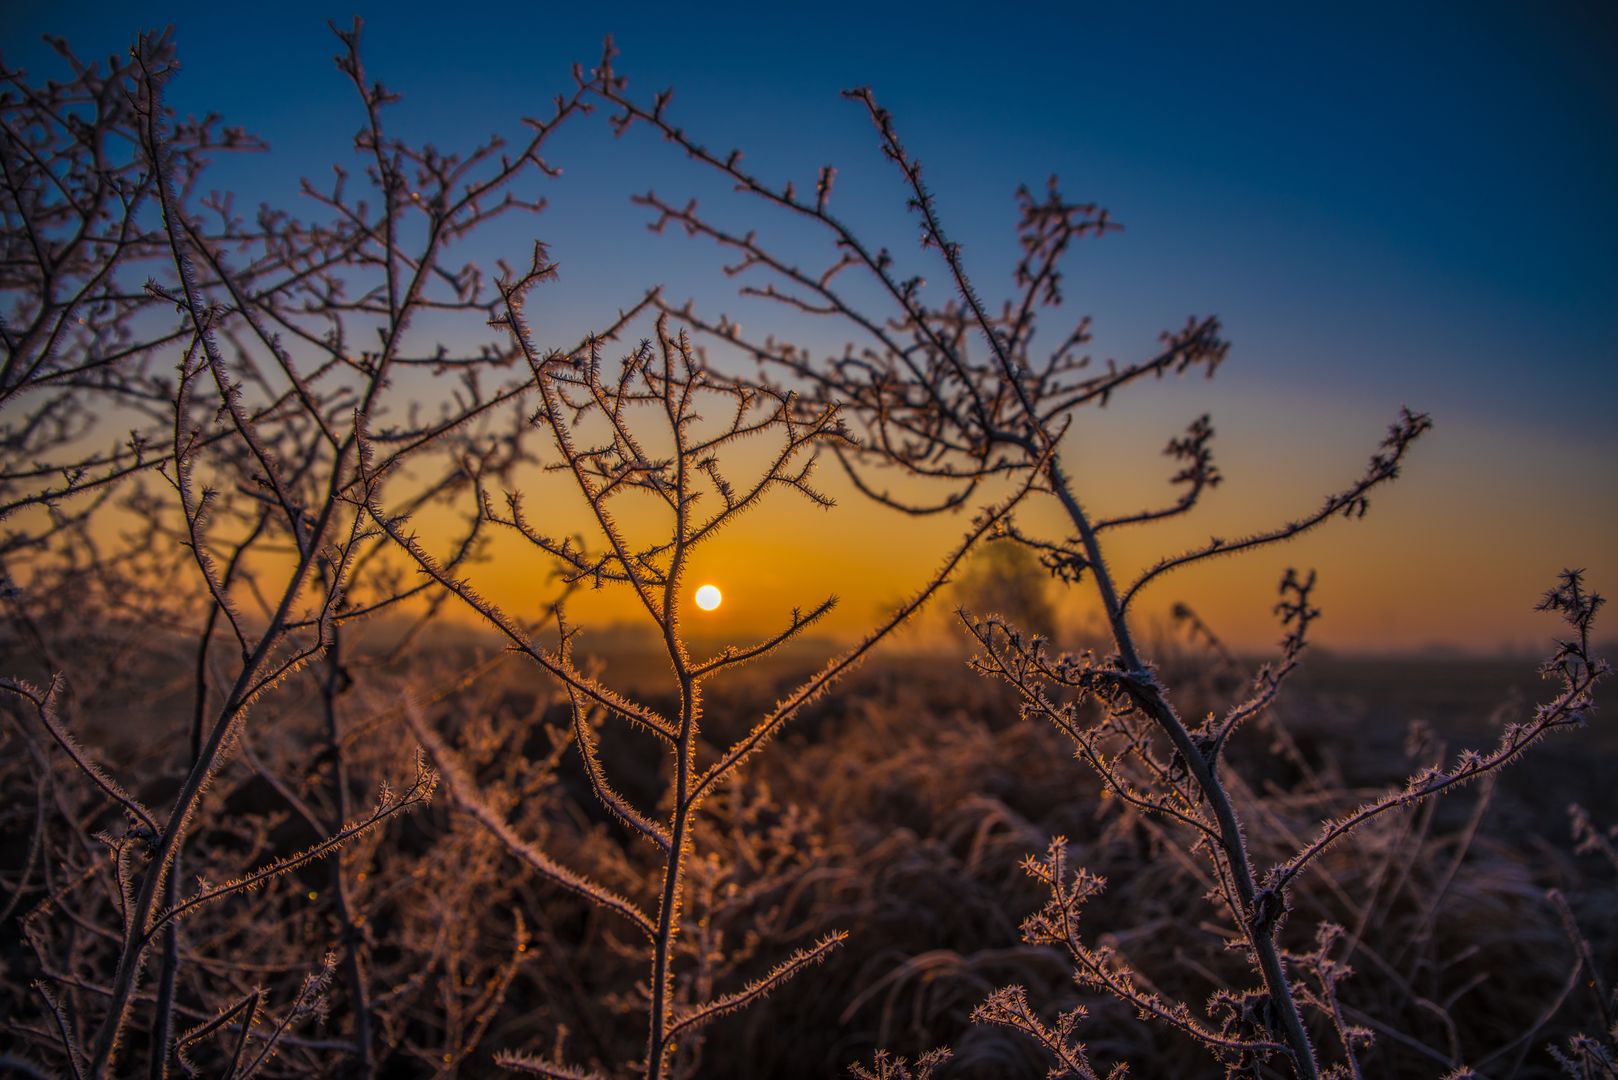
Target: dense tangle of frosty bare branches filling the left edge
[[198, 404]]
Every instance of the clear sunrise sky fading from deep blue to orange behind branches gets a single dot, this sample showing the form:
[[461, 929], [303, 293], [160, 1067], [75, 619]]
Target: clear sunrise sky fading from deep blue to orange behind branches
[[1386, 205]]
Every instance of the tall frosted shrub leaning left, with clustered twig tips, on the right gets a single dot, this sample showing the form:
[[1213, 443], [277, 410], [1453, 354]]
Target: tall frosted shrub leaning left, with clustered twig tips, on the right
[[957, 394]]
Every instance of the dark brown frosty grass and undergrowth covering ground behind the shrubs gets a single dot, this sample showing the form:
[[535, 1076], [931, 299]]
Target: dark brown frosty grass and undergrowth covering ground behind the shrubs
[[900, 810]]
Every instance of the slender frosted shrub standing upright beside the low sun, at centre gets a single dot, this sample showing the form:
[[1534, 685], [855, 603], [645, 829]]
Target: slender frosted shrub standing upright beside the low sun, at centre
[[656, 438]]
